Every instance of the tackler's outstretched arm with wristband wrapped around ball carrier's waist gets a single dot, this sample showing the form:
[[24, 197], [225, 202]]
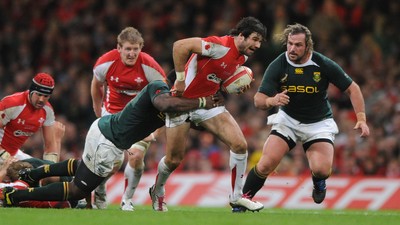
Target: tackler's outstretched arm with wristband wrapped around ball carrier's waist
[[167, 103]]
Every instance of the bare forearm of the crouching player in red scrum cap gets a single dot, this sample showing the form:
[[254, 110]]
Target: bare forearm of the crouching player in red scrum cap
[[52, 136]]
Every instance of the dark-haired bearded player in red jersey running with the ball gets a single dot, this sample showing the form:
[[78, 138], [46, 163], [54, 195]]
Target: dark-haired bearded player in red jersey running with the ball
[[212, 60]]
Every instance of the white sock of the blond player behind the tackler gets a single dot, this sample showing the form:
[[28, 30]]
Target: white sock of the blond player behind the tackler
[[132, 178]]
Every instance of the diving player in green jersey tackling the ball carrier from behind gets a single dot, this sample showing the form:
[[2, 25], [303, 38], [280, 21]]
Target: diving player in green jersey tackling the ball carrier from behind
[[107, 139]]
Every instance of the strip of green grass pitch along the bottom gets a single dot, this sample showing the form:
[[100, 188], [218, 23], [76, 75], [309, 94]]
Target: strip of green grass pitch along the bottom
[[144, 215]]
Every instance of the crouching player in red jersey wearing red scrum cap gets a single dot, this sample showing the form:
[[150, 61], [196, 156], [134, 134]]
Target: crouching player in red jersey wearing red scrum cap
[[24, 113]]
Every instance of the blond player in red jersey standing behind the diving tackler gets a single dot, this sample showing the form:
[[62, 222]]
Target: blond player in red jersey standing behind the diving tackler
[[118, 76]]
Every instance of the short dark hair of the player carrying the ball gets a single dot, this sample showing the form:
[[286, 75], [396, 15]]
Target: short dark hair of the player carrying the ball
[[247, 26]]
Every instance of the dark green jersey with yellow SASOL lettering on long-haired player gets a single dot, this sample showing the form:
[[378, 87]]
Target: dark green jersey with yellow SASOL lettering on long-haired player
[[307, 85]]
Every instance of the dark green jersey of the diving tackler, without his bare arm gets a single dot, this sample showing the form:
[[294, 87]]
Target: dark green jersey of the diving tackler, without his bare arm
[[138, 118]]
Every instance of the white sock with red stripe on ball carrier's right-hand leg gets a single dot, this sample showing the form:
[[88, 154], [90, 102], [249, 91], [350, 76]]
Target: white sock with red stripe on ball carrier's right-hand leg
[[237, 164]]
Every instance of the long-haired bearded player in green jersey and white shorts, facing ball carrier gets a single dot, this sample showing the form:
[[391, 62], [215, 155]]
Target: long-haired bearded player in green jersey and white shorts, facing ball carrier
[[297, 82]]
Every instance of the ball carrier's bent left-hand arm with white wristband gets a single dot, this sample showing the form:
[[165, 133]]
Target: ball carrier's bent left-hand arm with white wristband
[[181, 51]]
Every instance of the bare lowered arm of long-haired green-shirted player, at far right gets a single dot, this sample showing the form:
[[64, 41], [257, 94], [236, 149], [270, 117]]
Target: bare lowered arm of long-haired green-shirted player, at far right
[[357, 100]]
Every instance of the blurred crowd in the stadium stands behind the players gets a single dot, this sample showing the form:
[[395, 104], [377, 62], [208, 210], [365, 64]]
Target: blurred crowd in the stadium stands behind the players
[[65, 38]]
